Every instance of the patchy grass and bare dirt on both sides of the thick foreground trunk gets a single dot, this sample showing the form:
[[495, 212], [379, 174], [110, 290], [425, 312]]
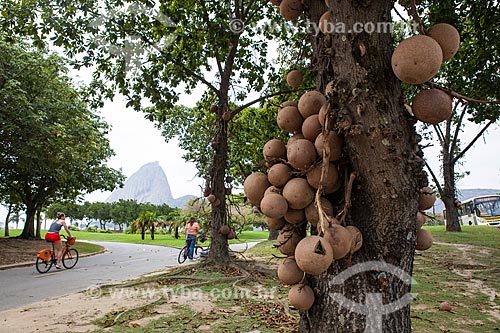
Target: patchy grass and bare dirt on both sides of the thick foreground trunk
[[464, 273]]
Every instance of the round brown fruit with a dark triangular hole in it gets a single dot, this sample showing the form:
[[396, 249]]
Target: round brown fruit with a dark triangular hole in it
[[313, 255]]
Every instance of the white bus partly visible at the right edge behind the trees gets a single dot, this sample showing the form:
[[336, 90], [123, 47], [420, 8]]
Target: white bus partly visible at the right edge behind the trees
[[483, 210]]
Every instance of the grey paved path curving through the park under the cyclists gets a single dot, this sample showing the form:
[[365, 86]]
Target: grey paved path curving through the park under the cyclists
[[122, 261]]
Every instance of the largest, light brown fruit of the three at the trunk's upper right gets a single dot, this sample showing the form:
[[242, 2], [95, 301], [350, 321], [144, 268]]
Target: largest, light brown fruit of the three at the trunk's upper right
[[417, 59]]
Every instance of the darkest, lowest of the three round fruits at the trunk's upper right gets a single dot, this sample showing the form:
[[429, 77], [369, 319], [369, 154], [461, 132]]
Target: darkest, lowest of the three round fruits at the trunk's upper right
[[432, 106]]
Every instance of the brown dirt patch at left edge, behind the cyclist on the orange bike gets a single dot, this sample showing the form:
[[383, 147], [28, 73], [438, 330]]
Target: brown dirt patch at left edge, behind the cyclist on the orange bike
[[14, 250]]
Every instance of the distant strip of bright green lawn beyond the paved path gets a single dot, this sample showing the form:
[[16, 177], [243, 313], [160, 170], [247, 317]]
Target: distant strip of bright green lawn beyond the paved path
[[160, 239]]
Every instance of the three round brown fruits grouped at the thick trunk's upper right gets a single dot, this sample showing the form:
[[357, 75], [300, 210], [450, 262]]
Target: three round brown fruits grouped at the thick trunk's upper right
[[417, 59]]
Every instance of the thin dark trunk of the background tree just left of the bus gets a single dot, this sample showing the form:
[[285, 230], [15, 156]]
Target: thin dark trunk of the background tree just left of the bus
[[448, 196]]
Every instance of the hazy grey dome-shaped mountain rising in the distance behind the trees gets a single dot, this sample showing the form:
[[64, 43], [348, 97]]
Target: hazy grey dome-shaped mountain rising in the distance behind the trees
[[148, 184]]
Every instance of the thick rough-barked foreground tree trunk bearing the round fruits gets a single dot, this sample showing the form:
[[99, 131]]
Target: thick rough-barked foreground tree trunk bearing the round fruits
[[382, 149]]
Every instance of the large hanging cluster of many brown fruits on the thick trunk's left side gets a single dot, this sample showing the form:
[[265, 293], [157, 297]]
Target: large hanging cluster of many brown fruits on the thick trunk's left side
[[286, 193]]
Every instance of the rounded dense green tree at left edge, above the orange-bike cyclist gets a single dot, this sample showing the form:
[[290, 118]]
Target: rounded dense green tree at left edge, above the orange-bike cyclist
[[52, 145]]
